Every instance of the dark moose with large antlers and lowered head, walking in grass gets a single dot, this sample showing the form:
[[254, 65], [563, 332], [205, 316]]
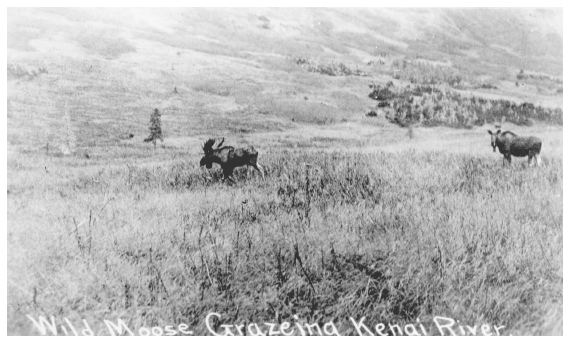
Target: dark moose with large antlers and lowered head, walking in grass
[[229, 158]]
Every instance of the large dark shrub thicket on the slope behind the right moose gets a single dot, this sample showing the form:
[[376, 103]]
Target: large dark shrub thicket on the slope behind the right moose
[[432, 106]]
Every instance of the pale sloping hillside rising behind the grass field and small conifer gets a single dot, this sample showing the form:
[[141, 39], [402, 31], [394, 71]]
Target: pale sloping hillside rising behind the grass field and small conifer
[[235, 69]]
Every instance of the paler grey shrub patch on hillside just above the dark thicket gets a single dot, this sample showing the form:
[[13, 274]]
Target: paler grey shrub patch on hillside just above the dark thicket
[[418, 72]]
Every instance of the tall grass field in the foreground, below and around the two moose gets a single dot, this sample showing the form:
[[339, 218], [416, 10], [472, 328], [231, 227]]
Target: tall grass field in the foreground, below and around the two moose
[[327, 236]]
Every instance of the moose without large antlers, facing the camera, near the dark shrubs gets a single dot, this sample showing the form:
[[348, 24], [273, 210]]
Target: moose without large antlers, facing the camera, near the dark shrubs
[[512, 145]]
